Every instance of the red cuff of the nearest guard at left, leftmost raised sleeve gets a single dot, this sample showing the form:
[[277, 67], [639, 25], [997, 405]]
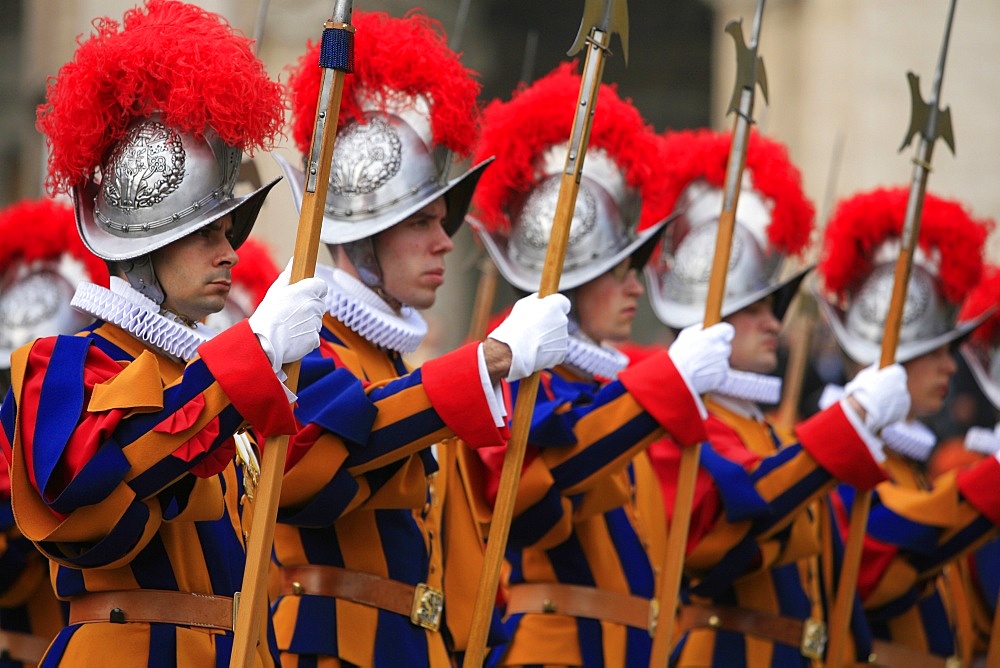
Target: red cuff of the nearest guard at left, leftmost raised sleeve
[[244, 373]]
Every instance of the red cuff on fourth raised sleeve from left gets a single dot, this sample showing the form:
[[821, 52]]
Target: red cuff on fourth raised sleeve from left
[[832, 441]]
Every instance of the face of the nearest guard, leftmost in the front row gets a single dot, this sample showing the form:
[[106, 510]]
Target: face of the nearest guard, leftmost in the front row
[[195, 272]]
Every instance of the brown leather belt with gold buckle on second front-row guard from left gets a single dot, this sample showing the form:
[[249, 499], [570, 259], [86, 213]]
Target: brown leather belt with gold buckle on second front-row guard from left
[[422, 603]]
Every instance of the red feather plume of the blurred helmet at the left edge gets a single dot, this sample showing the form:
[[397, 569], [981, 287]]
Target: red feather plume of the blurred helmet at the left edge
[[44, 230]]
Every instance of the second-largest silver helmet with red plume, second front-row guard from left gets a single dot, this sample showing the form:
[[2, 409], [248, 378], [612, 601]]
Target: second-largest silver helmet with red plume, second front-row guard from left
[[408, 106]]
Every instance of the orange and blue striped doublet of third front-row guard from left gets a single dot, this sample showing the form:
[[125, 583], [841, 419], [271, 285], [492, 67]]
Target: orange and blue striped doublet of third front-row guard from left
[[589, 518]]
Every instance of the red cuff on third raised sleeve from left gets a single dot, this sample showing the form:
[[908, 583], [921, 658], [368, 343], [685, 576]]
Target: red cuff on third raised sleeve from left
[[659, 388]]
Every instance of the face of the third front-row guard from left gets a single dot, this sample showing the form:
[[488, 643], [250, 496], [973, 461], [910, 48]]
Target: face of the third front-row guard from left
[[606, 306]]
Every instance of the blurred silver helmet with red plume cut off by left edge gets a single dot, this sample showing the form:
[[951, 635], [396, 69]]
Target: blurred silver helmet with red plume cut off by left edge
[[42, 260]]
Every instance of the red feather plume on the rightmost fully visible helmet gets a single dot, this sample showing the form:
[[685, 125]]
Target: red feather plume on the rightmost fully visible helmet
[[862, 223]]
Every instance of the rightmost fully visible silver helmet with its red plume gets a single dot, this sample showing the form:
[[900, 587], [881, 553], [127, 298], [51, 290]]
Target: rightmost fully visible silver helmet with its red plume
[[857, 267]]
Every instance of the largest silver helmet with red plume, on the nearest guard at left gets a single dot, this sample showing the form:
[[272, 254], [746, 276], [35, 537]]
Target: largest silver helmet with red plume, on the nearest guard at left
[[144, 132]]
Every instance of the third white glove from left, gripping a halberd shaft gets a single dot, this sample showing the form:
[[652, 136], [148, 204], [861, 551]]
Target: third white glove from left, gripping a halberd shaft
[[702, 355]]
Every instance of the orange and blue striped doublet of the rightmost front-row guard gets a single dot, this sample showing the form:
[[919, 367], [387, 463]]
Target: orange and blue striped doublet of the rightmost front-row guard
[[916, 529]]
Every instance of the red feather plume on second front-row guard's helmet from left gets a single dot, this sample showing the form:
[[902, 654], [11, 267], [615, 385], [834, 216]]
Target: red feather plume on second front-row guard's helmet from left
[[406, 55]]
